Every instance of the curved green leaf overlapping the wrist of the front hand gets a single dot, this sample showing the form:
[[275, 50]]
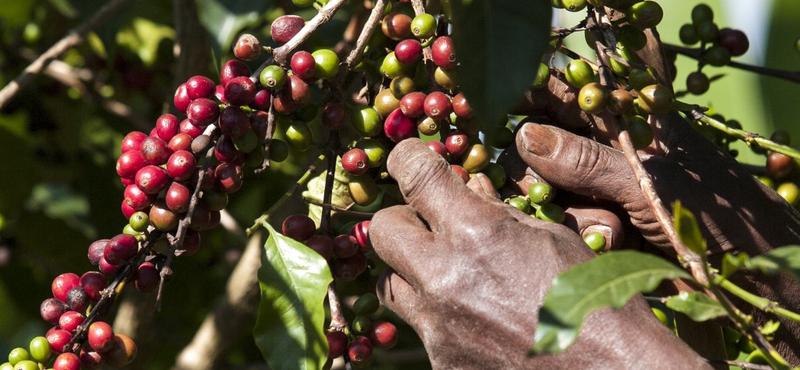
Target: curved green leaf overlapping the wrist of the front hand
[[608, 280]]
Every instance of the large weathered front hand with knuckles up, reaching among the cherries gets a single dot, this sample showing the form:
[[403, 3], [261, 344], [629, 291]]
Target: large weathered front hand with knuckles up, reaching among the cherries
[[471, 274]]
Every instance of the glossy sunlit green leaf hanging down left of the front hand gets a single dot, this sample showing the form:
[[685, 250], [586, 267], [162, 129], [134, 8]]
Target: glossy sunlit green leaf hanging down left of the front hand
[[294, 281]]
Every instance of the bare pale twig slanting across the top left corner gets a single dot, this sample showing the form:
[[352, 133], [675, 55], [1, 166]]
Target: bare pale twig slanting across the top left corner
[[73, 38]]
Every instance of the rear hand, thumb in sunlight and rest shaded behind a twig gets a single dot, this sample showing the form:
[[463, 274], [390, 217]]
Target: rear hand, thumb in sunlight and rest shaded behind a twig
[[735, 211]]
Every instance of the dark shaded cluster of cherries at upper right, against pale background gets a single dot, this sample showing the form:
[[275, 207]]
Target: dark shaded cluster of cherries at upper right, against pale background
[[717, 45]]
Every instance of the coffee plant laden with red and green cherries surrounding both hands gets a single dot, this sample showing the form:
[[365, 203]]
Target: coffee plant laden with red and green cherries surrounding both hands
[[311, 117]]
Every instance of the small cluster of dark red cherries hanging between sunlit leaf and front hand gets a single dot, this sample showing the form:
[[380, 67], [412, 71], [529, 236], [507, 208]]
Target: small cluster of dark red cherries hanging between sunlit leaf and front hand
[[366, 335]]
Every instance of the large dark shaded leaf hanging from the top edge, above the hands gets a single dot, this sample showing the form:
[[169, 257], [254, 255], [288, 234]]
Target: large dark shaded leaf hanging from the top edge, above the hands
[[499, 45]]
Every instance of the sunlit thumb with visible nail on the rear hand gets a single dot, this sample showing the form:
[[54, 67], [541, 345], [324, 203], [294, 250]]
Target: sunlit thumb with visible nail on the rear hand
[[579, 165]]
